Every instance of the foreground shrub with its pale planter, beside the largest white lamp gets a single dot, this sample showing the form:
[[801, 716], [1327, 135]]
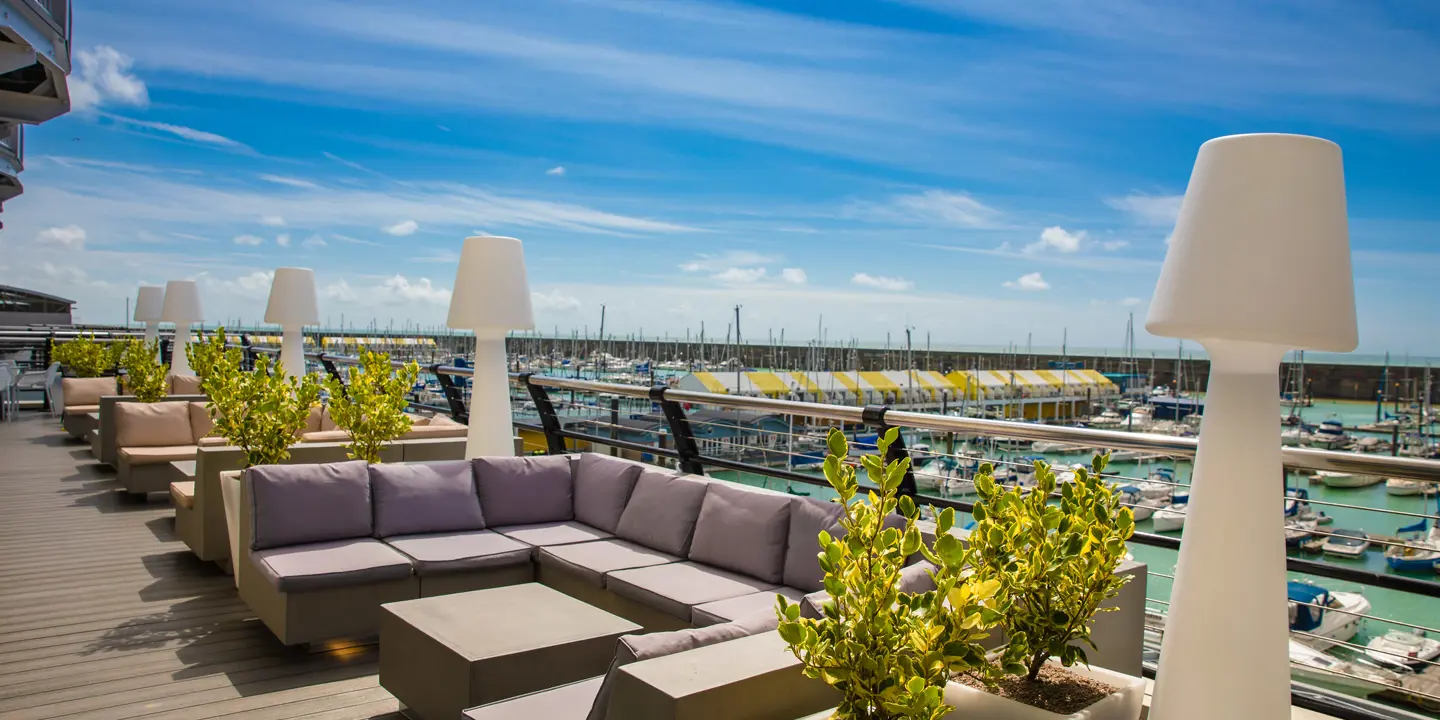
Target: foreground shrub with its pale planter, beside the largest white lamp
[[1055, 565]]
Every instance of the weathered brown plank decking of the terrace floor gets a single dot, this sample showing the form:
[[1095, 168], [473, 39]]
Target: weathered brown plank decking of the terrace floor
[[104, 614]]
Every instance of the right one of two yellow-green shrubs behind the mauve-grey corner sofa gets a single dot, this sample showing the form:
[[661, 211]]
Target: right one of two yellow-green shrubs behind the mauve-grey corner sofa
[[371, 405]]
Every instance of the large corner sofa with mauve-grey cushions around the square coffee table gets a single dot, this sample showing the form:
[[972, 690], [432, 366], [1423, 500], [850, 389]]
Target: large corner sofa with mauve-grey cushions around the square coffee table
[[653, 546]]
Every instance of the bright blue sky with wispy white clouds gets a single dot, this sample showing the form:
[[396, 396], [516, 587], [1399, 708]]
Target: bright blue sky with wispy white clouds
[[981, 171]]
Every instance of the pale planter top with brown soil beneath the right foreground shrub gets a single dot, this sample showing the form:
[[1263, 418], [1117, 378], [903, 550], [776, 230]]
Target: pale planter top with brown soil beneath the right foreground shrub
[[1076, 693]]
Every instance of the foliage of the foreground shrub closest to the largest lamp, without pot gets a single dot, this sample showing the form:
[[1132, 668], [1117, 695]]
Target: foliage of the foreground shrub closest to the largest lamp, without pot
[[1055, 564]]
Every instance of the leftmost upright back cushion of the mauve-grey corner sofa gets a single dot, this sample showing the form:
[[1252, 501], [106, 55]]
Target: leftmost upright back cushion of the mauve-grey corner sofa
[[297, 505]]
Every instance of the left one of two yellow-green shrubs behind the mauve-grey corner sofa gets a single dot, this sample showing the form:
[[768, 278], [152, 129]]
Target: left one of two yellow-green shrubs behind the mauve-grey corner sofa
[[258, 411]]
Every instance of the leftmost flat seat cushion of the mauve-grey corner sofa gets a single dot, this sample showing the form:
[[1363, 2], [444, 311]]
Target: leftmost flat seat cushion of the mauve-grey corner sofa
[[339, 564]]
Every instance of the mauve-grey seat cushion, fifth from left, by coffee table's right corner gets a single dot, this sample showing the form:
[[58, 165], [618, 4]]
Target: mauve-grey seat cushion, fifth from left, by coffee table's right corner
[[680, 587]]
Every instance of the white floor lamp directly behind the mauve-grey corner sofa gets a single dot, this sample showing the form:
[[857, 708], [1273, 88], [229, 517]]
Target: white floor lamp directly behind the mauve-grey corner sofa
[[492, 296]]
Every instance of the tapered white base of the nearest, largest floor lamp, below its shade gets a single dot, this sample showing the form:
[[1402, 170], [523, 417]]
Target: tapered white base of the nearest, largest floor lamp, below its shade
[[1230, 657]]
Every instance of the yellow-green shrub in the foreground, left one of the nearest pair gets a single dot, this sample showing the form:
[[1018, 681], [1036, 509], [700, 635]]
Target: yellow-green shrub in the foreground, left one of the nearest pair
[[889, 653]]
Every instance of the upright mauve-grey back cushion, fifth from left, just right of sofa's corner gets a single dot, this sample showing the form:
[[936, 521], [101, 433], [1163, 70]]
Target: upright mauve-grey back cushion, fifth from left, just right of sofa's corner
[[663, 510]]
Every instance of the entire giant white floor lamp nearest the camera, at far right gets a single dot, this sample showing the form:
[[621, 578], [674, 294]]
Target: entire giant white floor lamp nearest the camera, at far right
[[1255, 204]]
